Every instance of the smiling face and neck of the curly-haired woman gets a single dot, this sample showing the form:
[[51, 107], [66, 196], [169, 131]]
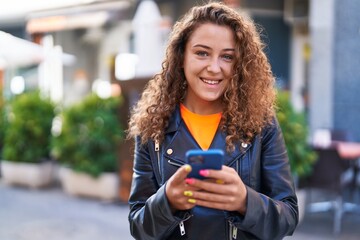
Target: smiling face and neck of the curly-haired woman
[[208, 64]]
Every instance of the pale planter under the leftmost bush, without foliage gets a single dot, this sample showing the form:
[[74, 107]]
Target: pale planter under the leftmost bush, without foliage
[[33, 175]]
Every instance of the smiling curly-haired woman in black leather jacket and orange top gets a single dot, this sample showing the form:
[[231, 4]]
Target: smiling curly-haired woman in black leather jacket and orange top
[[215, 91]]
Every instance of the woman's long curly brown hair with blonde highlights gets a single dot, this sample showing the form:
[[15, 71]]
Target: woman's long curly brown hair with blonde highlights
[[248, 99]]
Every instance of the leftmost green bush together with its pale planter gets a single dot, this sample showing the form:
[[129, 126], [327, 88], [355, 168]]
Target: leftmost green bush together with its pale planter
[[26, 146]]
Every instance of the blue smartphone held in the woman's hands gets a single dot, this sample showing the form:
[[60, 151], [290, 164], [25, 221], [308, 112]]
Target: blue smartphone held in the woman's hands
[[204, 159]]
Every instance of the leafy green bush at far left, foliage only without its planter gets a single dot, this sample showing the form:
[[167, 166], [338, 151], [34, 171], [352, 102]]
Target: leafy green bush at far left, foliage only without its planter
[[28, 128]]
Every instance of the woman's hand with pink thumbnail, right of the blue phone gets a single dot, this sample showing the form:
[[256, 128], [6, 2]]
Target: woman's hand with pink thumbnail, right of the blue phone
[[223, 189]]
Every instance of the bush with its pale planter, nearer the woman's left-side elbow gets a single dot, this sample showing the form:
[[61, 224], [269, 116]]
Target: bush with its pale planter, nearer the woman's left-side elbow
[[87, 147]]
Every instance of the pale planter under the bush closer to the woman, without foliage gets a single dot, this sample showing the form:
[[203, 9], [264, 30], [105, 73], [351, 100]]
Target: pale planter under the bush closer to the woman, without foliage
[[105, 187]]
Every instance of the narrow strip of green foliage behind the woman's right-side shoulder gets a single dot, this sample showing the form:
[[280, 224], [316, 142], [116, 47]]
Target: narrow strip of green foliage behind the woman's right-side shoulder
[[295, 131]]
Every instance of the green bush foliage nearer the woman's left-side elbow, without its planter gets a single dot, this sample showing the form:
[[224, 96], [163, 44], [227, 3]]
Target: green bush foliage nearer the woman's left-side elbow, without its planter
[[90, 134]]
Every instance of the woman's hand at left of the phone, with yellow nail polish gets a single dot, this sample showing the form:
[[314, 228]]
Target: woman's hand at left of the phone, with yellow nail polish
[[177, 191]]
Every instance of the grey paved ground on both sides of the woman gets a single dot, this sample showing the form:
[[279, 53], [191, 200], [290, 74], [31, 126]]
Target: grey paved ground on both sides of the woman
[[27, 214]]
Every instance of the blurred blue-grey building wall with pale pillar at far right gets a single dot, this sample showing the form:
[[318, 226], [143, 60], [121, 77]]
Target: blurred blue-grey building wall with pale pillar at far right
[[334, 77]]
